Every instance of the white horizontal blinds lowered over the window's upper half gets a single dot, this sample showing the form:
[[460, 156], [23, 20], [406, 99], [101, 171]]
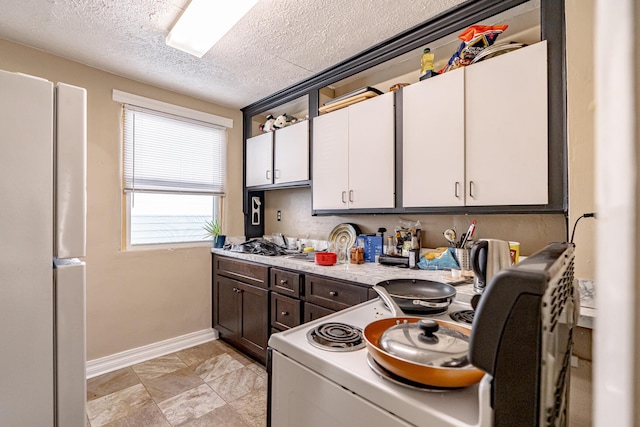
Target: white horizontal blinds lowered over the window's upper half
[[170, 154]]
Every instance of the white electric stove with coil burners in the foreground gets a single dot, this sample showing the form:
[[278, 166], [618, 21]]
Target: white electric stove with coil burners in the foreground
[[311, 386]]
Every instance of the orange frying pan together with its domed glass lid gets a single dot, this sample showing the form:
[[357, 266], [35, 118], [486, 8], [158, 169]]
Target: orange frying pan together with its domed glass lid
[[440, 369]]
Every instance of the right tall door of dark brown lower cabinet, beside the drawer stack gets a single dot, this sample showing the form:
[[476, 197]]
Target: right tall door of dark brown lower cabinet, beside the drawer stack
[[254, 320]]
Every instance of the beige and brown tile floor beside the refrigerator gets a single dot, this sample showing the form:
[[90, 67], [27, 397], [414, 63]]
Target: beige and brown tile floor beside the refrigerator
[[211, 384]]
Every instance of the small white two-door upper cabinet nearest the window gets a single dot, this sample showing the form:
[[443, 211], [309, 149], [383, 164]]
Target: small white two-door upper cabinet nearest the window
[[290, 148]]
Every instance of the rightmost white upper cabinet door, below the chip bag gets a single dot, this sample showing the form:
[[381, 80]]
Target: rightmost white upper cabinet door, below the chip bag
[[506, 129]]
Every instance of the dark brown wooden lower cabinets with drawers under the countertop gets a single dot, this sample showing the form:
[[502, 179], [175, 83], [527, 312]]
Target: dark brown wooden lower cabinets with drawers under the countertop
[[252, 300]]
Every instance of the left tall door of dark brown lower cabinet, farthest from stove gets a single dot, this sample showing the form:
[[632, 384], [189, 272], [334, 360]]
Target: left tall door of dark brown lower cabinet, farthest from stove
[[226, 310]]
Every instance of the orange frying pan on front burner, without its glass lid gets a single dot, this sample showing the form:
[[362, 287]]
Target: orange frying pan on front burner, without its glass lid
[[438, 376]]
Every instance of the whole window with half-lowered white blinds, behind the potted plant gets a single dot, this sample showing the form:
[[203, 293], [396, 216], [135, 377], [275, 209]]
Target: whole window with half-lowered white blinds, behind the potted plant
[[174, 172]]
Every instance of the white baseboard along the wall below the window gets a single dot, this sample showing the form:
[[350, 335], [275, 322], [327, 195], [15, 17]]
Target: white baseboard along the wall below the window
[[137, 355]]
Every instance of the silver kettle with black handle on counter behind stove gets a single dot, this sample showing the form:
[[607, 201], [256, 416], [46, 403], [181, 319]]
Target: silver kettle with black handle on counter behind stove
[[488, 256]]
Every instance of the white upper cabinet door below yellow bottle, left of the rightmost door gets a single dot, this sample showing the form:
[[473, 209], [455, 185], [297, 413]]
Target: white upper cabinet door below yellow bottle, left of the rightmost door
[[433, 141]]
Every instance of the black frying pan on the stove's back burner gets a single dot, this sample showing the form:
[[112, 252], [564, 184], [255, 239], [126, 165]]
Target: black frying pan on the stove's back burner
[[420, 296]]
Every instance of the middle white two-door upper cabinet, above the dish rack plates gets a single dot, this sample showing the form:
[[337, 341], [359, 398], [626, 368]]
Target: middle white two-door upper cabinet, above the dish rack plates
[[353, 156]]
